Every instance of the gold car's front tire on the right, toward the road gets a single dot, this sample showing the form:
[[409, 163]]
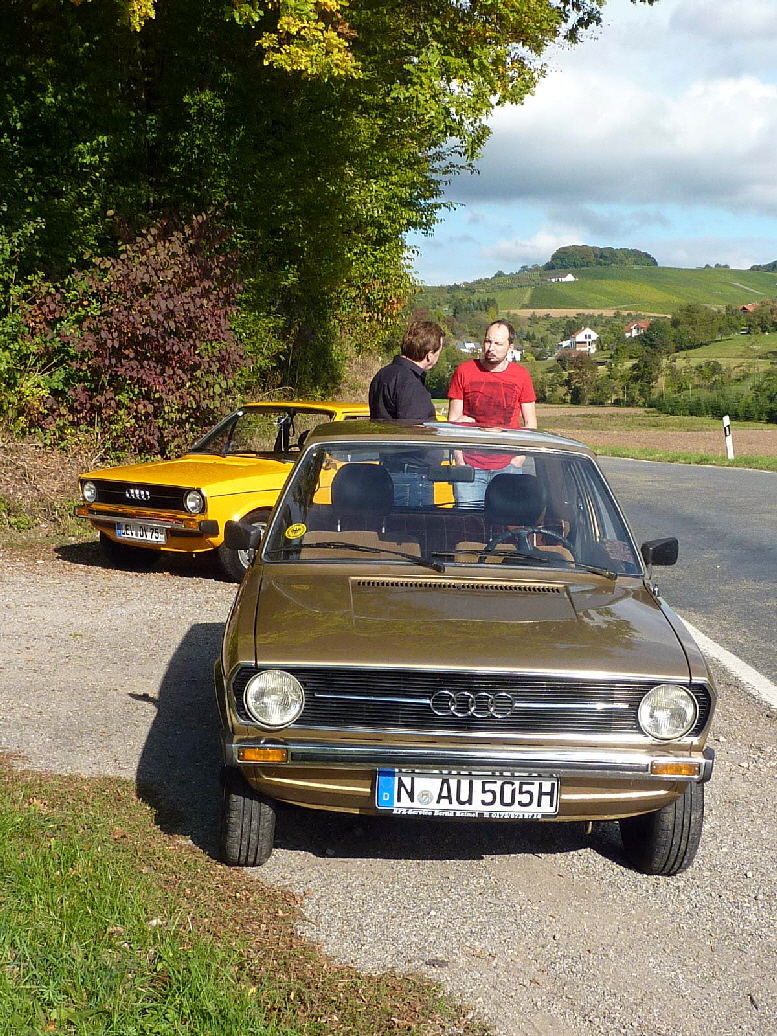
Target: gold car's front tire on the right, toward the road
[[666, 843]]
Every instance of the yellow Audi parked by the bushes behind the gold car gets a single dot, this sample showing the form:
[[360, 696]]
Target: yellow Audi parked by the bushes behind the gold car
[[235, 473]]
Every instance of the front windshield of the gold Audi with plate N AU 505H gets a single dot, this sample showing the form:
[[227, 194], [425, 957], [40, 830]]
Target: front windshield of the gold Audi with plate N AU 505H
[[444, 506]]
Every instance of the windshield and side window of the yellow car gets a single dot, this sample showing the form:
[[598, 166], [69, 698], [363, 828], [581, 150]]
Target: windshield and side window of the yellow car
[[263, 429]]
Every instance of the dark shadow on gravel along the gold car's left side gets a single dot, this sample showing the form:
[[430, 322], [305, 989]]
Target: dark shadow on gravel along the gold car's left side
[[180, 765]]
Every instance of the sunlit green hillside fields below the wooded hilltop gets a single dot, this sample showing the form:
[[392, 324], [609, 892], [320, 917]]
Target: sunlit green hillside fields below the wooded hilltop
[[638, 290]]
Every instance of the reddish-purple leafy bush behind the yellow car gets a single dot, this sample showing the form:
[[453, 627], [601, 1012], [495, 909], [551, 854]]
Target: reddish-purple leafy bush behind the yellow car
[[140, 348]]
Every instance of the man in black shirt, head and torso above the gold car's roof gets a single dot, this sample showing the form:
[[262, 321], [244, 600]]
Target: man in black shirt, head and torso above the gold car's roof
[[398, 392]]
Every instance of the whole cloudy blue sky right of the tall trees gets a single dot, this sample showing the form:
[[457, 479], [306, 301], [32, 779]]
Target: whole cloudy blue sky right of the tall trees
[[659, 133]]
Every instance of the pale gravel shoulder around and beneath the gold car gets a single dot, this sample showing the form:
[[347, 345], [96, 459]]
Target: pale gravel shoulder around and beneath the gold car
[[539, 927]]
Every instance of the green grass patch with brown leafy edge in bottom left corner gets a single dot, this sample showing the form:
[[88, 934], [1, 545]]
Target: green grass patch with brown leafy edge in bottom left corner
[[108, 928]]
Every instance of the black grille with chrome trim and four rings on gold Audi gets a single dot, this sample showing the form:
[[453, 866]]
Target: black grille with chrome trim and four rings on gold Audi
[[502, 703]]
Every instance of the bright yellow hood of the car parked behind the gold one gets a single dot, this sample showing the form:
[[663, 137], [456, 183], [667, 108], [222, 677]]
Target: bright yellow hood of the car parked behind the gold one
[[215, 475]]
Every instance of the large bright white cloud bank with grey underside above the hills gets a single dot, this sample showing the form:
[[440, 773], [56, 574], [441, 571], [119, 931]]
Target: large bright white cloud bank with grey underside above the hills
[[612, 141]]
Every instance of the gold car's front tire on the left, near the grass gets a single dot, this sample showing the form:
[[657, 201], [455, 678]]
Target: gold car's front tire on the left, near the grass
[[248, 823]]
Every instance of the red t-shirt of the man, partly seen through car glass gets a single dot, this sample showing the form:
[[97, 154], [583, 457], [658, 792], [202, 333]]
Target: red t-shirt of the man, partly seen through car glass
[[494, 399]]
